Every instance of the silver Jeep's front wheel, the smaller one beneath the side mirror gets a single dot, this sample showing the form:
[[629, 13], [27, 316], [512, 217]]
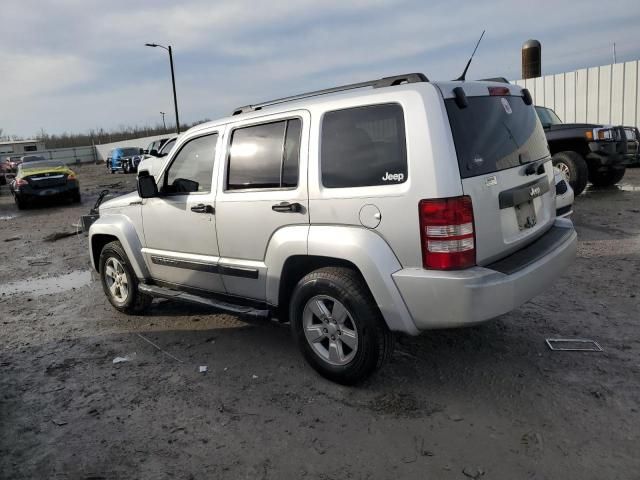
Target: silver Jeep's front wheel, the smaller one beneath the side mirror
[[119, 281]]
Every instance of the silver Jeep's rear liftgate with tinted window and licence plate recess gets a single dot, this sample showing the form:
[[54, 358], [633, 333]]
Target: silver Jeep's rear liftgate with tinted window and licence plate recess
[[505, 168]]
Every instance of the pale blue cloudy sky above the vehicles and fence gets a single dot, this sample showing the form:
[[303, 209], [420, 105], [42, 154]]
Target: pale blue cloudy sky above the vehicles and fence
[[72, 65]]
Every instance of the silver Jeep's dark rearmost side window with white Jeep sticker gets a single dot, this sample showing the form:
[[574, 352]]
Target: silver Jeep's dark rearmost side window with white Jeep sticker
[[363, 146]]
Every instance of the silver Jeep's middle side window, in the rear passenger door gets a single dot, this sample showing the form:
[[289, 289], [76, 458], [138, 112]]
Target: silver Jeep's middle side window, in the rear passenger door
[[265, 156]]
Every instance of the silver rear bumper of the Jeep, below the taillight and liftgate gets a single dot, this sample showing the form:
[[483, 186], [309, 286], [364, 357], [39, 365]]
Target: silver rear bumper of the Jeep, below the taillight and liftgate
[[437, 299]]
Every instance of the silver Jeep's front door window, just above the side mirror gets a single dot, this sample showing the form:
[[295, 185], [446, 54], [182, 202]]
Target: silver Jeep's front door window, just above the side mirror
[[192, 168]]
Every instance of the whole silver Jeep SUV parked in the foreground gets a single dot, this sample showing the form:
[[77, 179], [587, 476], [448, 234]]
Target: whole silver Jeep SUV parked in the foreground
[[395, 205]]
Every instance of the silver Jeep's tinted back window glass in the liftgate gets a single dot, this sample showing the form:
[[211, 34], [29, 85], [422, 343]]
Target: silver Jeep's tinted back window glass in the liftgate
[[495, 133]]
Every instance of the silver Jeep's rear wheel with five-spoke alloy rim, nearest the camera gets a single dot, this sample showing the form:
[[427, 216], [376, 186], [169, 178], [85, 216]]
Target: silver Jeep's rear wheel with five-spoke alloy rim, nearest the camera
[[338, 326]]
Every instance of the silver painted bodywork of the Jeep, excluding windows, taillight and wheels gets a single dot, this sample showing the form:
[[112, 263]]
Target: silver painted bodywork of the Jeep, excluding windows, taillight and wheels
[[241, 250]]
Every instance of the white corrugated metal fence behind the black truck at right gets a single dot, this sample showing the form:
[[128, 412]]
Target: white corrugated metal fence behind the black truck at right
[[607, 94]]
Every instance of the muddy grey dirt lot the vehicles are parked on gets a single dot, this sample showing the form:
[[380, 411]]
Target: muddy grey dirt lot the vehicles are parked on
[[490, 402]]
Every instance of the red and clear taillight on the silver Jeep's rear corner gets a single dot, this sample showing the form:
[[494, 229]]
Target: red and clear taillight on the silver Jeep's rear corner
[[447, 234]]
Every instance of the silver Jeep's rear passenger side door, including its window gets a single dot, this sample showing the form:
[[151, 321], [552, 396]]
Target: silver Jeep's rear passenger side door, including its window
[[263, 189]]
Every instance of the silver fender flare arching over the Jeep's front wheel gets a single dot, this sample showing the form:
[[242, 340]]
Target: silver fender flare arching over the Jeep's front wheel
[[120, 226]]
